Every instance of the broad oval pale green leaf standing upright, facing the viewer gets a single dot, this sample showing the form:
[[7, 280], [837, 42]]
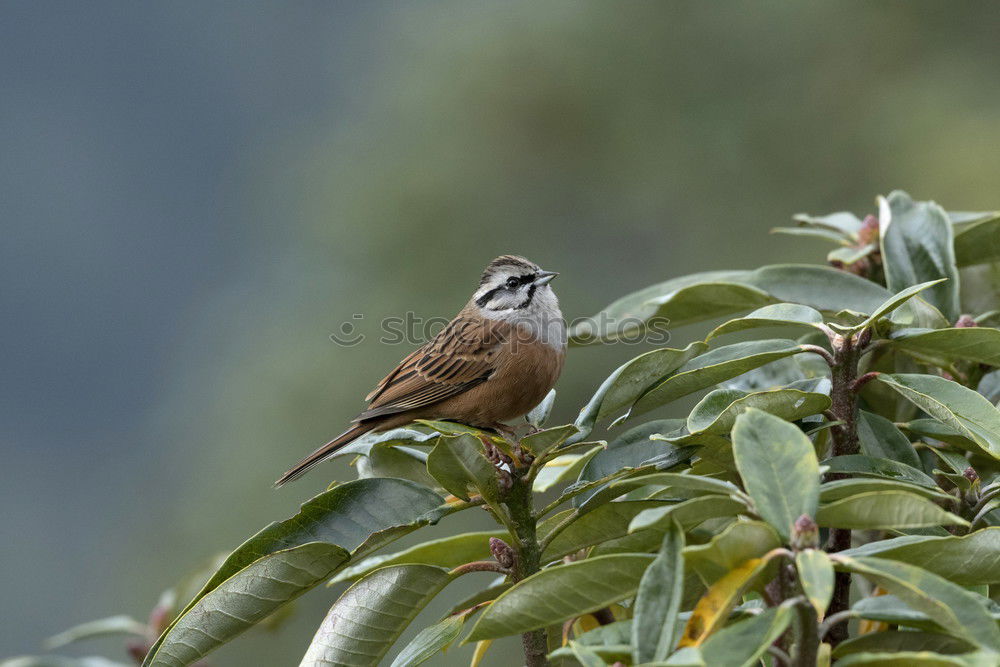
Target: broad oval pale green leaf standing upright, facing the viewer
[[779, 468]]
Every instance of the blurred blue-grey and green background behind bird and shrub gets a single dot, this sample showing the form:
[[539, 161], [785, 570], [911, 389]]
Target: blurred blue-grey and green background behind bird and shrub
[[194, 196]]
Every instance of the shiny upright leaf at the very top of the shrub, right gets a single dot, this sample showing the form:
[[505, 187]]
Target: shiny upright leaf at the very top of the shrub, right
[[916, 240]]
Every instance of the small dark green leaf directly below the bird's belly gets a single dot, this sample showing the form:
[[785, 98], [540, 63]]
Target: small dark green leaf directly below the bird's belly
[[459, 464]]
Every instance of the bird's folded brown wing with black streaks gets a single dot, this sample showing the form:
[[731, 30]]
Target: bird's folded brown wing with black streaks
[[461, 356]]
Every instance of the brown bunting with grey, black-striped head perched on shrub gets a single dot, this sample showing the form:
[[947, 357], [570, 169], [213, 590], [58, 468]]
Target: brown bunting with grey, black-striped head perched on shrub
[[494, 362]]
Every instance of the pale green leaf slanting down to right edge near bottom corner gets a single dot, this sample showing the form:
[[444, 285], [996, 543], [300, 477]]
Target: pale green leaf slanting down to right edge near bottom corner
[[955, 609]]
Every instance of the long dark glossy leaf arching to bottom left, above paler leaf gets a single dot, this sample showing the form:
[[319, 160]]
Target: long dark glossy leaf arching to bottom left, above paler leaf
[[358, 516]]
